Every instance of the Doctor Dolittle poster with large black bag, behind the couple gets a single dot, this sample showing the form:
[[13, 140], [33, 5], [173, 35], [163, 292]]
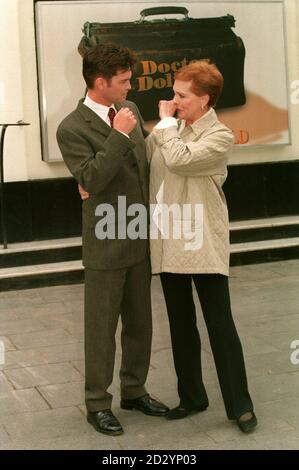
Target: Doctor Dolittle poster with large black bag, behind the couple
[[239, 36]]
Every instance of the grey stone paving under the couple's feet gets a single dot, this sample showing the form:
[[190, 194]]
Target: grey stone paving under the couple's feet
[[42, 379]]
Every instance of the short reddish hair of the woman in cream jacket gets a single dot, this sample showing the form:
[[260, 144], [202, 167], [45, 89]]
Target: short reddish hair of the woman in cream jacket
[[206, 79]]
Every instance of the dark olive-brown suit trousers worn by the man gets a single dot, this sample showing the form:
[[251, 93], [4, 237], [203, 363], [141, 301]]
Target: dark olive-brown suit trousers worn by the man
[[109, 294]]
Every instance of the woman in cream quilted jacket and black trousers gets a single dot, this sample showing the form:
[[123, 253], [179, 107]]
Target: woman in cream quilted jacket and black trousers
[[190, 239]]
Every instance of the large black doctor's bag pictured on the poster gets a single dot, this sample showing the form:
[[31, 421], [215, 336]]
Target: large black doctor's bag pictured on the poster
[[164, 45]]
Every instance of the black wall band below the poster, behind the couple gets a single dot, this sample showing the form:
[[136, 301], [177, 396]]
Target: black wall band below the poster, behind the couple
[[46, 209]]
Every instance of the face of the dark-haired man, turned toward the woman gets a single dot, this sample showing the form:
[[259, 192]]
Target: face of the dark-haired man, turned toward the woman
[[116, 89]]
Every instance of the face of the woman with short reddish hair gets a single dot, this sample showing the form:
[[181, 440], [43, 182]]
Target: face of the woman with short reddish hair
[[189, 106]]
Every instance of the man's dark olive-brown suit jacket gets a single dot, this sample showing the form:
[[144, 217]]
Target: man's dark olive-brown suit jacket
[[107, 164]]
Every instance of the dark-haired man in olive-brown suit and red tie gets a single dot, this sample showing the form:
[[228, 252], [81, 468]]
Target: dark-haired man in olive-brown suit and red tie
[[102, 143]]
